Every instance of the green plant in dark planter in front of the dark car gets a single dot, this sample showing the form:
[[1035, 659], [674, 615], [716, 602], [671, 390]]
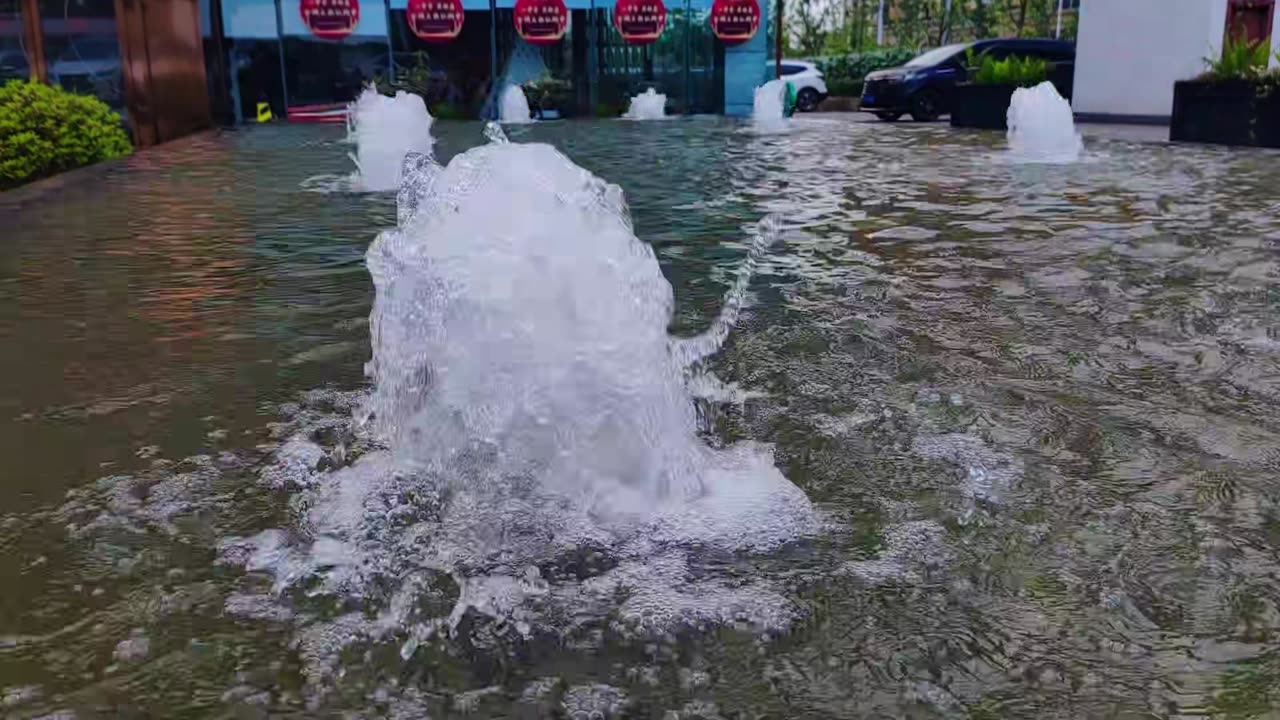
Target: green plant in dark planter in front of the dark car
[[984, 102]]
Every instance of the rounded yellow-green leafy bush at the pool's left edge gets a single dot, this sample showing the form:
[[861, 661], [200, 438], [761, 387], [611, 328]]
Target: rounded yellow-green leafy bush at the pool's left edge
[[47, 130]]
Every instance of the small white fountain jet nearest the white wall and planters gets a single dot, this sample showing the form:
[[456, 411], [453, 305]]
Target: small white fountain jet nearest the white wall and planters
[[1041, 126]]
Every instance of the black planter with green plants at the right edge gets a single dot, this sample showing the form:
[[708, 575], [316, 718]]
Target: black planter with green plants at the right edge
[[1237, 102]]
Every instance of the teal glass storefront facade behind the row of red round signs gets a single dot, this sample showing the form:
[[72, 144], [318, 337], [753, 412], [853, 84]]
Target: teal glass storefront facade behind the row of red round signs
[[263, 52]]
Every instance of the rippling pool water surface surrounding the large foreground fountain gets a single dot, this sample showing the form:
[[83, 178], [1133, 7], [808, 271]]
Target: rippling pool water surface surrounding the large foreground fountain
[[1035, 404]]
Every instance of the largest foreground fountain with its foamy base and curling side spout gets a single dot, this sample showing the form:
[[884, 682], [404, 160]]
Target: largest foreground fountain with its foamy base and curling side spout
[[534, 450]]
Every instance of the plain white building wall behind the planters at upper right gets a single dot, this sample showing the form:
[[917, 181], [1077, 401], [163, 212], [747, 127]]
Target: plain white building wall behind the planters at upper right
[[1130, 53]]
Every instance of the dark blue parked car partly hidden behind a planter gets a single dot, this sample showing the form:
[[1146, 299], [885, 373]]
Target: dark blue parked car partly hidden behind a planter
[[924, 86]]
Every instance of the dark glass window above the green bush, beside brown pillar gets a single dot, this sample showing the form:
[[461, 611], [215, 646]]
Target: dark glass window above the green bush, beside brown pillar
[[83, 48]]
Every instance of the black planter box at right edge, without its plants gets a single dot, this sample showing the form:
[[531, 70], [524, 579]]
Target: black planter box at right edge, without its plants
[[1226, 113]]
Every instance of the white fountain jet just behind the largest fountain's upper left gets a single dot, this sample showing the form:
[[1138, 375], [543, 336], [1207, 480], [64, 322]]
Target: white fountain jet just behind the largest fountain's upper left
[[385, 131]]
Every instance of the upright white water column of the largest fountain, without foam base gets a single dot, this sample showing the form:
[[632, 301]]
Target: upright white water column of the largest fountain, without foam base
[[543, 331]]
